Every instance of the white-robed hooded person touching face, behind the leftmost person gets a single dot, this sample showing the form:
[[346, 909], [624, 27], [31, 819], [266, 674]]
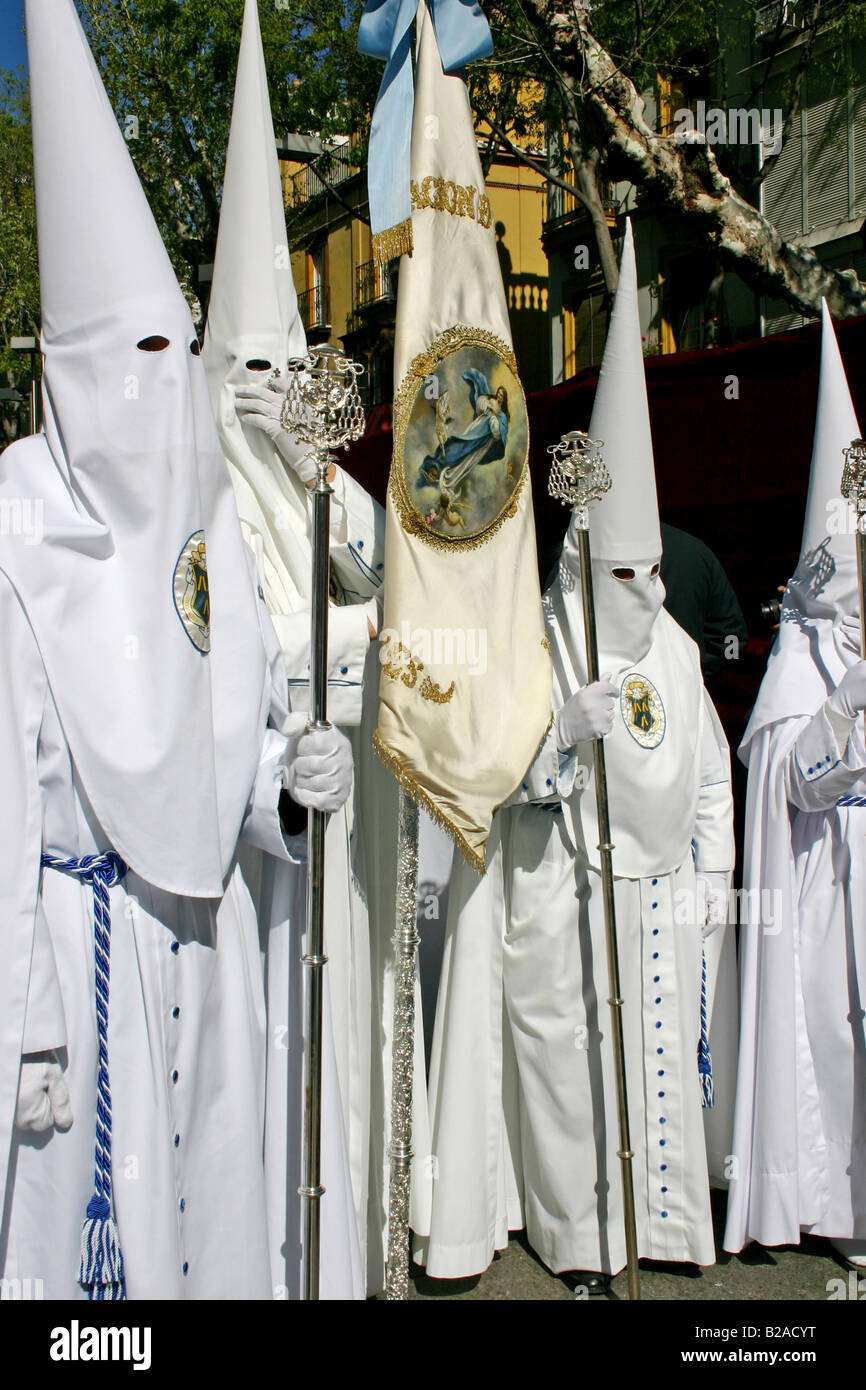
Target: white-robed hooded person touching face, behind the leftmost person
[[254, 320]]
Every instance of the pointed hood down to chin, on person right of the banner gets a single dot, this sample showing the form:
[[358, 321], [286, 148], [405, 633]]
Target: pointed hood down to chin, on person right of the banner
[[625, 526]]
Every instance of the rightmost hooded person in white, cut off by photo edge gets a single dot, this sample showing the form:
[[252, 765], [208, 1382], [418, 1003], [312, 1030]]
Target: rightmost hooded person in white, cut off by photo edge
[[800, 1136]]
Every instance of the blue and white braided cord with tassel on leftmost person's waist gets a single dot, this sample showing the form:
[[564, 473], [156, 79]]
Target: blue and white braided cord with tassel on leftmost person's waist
[[102, 1263]]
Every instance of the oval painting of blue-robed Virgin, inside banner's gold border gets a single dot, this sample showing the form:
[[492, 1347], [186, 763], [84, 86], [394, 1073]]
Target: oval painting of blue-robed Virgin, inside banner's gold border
[[466, 443]]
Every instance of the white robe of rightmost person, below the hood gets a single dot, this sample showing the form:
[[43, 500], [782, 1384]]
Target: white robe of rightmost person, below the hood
[[800, 1138]]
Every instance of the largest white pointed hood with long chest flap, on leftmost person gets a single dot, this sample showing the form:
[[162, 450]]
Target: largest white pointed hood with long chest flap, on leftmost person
[[140, 596]]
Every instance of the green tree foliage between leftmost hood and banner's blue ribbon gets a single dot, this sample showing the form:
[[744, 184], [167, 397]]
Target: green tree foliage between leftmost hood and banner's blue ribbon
[[169, 67]]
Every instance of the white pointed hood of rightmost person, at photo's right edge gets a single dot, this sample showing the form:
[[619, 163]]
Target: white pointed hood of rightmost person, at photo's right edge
[[819, 629]]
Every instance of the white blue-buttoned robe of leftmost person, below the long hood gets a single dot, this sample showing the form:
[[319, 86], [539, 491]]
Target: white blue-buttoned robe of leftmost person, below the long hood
[[186, 1029]]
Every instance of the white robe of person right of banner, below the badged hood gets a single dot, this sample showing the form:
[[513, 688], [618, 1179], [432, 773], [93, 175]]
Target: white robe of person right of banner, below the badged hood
[[528, 1135]]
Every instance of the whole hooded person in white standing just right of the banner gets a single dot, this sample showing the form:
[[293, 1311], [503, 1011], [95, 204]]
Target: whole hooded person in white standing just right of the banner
[[528, 1135]]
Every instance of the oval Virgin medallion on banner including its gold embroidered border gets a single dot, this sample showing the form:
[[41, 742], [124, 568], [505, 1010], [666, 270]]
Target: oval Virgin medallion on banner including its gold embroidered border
[[461, 440]]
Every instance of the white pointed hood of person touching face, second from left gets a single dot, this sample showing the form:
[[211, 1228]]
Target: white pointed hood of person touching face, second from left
[[254, 319]]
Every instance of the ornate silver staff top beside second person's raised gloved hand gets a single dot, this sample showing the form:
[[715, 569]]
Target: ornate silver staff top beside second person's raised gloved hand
[[323, 407]]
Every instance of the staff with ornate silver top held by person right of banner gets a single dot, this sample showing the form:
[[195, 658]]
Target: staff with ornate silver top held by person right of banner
[[580, 479]]
